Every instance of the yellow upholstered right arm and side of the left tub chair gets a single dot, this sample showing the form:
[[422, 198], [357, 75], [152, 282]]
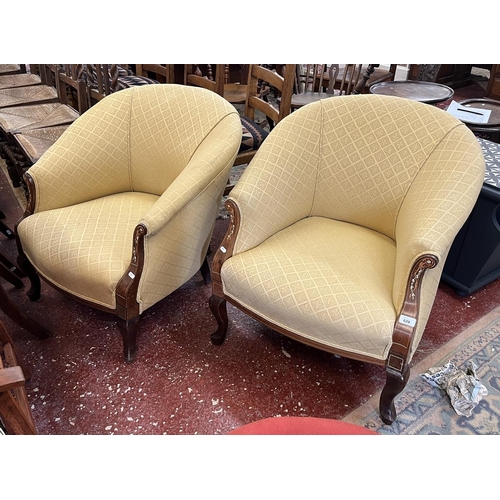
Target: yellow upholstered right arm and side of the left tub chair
[[180, 224]]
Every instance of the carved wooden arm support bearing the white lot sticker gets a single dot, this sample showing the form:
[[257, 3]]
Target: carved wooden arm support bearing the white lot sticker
[[406, 322]]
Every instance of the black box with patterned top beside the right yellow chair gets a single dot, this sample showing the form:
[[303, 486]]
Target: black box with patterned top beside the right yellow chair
[[474, 258]]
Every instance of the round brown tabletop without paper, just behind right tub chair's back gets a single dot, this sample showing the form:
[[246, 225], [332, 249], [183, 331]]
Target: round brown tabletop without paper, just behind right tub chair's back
[[426, 92]]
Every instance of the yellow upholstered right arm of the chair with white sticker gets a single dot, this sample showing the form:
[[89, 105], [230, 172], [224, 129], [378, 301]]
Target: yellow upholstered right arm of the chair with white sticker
[[431, 216]]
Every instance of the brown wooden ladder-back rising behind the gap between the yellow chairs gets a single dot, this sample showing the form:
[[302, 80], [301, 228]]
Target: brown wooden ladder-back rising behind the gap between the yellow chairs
[[260, 76]]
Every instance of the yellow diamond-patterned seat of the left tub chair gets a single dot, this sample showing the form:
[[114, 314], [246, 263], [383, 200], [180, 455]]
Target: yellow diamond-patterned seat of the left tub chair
[[85, 249]]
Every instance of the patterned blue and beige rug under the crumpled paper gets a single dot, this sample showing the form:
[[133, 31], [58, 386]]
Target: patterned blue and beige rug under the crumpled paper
[[426, 410]]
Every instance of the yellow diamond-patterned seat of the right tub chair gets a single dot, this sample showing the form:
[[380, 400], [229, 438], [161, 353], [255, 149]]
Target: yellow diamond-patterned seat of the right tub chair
[[318, 279]]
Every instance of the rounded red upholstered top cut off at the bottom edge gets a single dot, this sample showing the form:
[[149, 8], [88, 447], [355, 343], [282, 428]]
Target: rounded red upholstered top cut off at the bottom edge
[[300, 425]]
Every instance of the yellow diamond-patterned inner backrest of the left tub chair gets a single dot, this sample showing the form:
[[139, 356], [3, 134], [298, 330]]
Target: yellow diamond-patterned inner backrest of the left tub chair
[[141, 138]]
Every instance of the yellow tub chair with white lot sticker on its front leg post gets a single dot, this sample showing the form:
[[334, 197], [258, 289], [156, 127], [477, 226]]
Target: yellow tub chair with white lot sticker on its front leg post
[[341, 224]]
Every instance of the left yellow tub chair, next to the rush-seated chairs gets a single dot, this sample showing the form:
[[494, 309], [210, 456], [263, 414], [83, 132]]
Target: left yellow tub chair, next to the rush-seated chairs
[[122, 207]]
